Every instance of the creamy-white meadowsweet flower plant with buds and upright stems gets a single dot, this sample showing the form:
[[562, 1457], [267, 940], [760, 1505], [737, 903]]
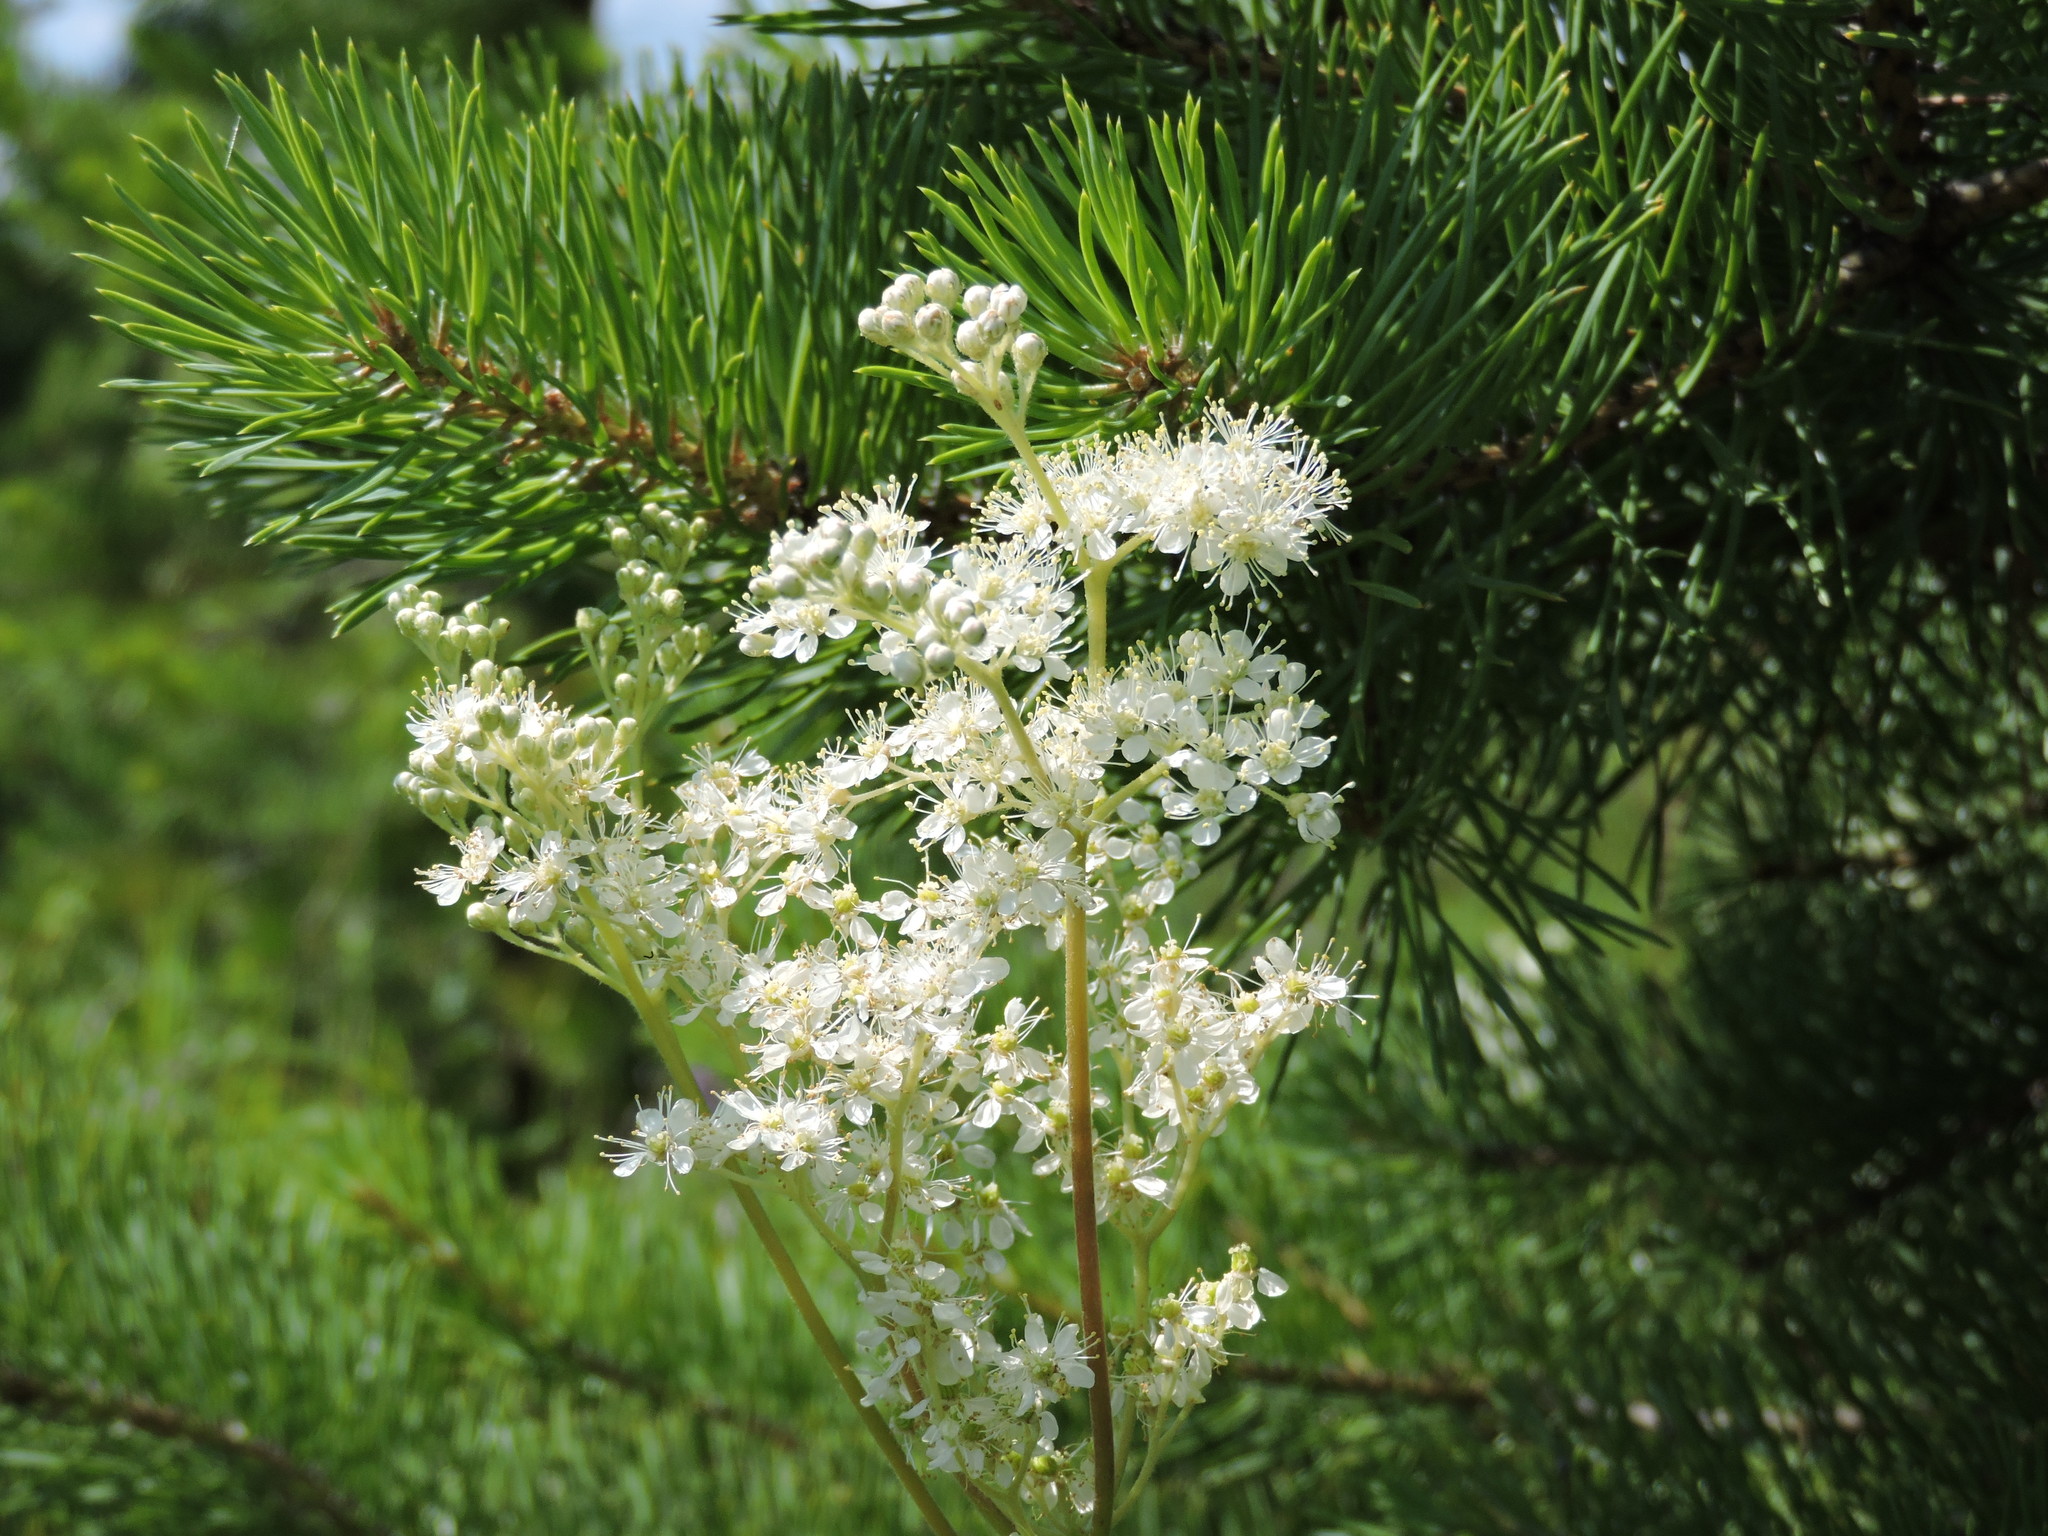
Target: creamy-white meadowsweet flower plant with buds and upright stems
[[894, 1099]]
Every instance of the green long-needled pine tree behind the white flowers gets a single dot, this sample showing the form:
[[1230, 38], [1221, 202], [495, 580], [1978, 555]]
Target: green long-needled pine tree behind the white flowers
[[1682, 654]]
